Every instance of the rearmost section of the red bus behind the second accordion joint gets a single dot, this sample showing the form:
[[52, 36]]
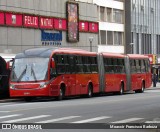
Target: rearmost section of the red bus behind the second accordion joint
[[140, 73]]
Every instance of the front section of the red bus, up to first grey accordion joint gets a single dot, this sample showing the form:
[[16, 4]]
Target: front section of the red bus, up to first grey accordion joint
[[44, 72]]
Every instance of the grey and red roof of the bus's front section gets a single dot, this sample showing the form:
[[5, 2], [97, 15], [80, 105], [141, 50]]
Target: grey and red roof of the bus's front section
[[47, 52]]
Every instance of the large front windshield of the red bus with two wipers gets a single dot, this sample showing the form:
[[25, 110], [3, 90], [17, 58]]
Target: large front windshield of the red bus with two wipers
[[29, 69]]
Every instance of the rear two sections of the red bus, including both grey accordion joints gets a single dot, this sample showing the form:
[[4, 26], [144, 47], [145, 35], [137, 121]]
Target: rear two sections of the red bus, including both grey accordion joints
[[119, 73]]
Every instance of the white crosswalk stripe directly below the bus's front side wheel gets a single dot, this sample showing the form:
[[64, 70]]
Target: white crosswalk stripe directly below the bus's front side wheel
[[58, 119]]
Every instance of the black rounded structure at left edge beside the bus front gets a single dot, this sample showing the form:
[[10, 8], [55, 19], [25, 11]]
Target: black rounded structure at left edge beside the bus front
[[4, 78]]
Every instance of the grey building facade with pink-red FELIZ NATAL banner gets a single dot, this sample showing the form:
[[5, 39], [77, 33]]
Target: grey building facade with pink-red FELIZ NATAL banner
[[52, 23]]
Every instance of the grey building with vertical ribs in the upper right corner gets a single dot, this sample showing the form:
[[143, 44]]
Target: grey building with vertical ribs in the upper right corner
[[142, 26]]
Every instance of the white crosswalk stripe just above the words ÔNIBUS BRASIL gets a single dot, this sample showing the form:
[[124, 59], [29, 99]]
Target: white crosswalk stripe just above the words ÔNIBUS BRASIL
[[24, 119]]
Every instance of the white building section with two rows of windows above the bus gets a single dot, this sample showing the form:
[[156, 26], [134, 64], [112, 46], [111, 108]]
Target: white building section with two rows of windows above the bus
[[111, 25]]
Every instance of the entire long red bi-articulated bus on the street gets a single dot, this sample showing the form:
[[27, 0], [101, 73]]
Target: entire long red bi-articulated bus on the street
[[60, 72]]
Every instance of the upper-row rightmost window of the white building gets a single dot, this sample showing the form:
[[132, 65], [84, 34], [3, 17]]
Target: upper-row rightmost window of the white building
[[117, 16]]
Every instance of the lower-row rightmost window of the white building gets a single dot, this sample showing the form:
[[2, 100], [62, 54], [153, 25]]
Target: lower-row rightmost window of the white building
[[118, 37]]
